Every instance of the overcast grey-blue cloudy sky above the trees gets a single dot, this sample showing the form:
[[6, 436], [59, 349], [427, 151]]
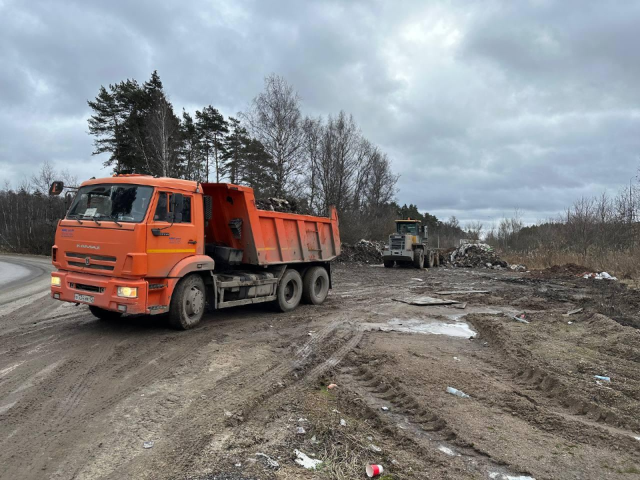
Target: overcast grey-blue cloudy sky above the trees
[[483, 106]]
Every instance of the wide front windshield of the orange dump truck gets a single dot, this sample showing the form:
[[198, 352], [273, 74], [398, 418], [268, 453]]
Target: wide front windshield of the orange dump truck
[[123, 203]]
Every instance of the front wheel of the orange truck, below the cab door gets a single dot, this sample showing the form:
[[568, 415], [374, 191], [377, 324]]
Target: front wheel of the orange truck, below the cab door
[[187, 303]]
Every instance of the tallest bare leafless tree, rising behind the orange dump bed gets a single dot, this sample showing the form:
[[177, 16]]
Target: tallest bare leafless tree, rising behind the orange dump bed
[[274, 119]]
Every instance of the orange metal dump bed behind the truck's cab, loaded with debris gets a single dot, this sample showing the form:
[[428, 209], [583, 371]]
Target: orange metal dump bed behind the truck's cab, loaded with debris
[[267, 237]]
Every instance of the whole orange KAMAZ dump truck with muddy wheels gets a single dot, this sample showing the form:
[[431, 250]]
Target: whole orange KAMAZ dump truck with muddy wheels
[[144, 245]]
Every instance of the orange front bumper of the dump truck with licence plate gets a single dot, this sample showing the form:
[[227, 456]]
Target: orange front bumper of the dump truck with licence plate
[[100, 291]]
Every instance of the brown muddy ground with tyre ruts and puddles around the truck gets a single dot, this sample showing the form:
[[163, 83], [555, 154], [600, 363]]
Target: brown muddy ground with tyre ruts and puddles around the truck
[[79, 397]]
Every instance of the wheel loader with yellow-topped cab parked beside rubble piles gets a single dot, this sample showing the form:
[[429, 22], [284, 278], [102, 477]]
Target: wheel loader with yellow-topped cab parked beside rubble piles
[[408, 246]]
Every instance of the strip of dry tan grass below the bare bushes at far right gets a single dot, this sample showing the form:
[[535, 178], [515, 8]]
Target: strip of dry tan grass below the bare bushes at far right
[[624, 265]]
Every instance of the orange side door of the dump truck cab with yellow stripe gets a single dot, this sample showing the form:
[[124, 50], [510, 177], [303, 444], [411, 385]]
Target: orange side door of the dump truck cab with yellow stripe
[[169, 243]]
